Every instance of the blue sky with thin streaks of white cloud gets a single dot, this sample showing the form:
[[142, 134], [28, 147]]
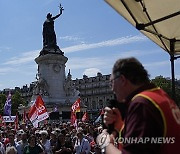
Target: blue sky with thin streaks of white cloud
[[90, 33]]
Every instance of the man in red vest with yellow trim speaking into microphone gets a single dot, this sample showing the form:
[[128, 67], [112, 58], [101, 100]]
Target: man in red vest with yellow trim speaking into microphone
[[152, 120]]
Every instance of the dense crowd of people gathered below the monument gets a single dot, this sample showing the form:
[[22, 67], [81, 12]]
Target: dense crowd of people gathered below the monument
[[54, 138]]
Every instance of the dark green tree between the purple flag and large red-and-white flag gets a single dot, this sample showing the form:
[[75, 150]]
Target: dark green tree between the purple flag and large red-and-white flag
[[16, 100]]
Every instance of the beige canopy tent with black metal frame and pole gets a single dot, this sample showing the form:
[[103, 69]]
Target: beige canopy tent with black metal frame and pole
[[159, 20]]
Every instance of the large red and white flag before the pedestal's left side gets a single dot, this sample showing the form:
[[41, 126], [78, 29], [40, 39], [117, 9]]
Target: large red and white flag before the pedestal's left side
[[38, 111]]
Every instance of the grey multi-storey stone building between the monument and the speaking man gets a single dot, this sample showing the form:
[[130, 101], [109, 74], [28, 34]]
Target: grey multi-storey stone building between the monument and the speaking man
[[95, 92]]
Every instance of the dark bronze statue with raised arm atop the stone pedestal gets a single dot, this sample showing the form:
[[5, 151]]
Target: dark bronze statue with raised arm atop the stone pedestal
[[49, 35]]
